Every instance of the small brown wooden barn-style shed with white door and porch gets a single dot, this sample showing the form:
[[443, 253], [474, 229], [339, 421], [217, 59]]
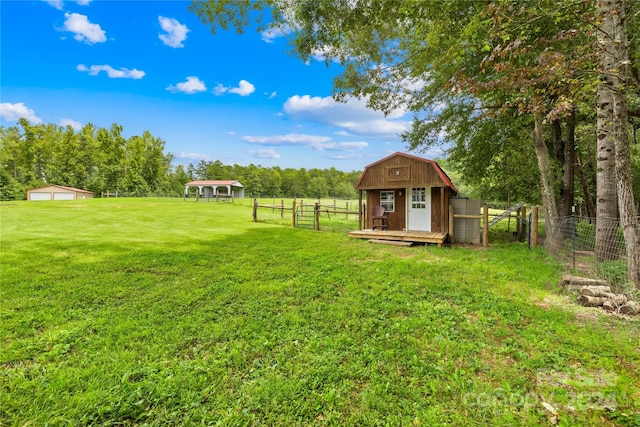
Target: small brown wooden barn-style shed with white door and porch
[[415, 193]]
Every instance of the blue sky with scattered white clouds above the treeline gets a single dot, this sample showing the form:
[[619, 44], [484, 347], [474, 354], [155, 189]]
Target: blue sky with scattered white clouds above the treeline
[[152, 65]]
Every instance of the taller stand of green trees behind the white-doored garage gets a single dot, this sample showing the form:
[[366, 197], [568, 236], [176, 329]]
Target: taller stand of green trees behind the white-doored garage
[[93, 159]]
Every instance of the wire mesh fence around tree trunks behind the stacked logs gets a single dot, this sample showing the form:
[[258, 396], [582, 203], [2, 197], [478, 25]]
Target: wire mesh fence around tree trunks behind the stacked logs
[[577, 248]]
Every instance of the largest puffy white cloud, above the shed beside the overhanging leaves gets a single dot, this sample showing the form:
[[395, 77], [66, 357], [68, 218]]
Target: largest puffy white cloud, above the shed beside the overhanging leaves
[[353, 116]]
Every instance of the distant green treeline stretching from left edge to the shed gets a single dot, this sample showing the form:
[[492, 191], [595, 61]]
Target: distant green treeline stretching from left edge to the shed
[[102, 160]]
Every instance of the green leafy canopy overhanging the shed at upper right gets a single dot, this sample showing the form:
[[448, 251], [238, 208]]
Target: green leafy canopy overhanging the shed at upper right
[[473, 74]]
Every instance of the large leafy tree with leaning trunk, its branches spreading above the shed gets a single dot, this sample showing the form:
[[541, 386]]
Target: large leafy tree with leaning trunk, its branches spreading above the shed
[[449, 61]]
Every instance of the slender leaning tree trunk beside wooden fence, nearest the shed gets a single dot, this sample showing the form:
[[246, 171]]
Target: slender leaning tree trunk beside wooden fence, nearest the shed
[[549, 203]]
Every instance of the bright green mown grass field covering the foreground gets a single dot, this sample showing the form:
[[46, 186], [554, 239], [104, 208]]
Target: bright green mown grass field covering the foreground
[[171, 312]]
